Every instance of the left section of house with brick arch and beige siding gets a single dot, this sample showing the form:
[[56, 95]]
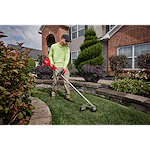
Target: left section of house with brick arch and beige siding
[[51, 33]]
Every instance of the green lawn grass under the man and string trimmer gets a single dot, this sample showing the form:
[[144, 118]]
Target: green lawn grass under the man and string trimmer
[[108, 113]]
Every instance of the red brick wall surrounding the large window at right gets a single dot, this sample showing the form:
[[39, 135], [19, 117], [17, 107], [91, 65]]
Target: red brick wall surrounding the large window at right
[[127, 35]]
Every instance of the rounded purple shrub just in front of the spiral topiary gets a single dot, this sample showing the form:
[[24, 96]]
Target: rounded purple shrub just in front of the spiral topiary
[[92, 73]]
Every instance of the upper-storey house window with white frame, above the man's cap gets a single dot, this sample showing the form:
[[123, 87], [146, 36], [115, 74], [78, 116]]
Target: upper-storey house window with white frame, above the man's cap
[[77, 30]]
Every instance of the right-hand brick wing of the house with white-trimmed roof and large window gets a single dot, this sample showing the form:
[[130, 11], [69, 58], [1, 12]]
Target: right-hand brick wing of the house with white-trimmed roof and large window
[[130, 40]]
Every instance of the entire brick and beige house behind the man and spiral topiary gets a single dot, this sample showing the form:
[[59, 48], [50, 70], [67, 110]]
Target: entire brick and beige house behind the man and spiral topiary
[[117, 38]]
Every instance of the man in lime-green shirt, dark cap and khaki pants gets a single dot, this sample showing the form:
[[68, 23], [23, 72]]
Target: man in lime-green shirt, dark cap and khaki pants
[[59, 56]]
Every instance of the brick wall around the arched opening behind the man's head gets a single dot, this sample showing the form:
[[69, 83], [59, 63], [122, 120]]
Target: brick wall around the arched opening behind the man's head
[[56, 30]]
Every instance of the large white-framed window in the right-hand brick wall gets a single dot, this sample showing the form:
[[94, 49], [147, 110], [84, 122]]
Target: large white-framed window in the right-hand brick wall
[[132, 52]]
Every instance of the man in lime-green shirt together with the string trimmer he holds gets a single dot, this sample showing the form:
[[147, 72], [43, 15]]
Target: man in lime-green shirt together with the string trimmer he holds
[[61, 70]]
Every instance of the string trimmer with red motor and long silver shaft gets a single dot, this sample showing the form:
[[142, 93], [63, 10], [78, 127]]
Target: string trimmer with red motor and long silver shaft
[[46, 61]]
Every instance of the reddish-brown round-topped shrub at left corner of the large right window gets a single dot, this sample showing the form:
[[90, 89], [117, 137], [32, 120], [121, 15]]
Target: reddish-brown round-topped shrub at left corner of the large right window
[[117, 63]]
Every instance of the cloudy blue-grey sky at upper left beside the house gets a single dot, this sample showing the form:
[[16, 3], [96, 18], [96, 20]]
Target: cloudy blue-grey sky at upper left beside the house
[[22, 33]]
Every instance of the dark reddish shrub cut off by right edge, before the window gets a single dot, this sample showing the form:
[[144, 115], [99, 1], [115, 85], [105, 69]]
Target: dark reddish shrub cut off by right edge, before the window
[[143, 61]]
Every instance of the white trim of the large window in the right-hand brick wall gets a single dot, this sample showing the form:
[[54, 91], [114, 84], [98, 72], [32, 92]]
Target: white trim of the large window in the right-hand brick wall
[[133, 57]]
